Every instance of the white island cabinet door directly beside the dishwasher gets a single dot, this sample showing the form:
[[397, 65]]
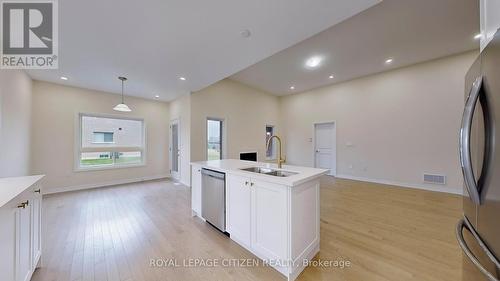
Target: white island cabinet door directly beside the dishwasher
[[238, 209]]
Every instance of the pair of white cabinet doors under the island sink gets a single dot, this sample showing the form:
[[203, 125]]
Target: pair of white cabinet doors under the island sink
[[257, 216]]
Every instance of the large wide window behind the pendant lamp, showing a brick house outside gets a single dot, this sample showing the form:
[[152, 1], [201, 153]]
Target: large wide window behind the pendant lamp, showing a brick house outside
[[110, 142]]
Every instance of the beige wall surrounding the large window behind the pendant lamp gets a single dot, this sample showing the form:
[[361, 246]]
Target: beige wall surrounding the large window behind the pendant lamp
[[55, 110]]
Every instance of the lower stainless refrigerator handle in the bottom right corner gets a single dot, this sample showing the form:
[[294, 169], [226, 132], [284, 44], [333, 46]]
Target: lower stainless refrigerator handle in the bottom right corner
[[464, 223]]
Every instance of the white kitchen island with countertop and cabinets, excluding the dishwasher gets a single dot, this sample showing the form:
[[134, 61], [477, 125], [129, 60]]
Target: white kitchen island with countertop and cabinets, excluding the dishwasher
[[273, 213]]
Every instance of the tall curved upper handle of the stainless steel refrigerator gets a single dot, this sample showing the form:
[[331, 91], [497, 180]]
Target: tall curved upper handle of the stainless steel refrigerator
[[465, 132]]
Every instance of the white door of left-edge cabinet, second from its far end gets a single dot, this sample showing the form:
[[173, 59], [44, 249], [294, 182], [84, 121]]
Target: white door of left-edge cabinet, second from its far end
[[23, 243]]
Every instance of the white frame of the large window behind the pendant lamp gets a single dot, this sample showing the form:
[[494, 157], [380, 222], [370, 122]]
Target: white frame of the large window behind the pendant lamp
[[78, 143]]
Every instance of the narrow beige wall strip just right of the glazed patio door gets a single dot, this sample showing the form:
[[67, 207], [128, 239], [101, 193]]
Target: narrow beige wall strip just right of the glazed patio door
[[180, 109]]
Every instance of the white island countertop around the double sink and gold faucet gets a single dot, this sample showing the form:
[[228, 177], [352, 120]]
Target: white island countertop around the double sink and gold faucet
[[234, 166]]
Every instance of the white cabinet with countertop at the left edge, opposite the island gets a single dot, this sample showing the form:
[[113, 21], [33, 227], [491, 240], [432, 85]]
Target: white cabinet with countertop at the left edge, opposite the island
[[20, 227]]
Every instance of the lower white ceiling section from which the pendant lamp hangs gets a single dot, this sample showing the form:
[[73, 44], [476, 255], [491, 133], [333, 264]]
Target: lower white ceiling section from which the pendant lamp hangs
[[154, 42]]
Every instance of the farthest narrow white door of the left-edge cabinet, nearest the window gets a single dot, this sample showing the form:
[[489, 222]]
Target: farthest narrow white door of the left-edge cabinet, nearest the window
[[36, 225]]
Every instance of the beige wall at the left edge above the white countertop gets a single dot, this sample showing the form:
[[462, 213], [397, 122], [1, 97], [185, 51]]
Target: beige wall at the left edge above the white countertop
[[15, 123]]
